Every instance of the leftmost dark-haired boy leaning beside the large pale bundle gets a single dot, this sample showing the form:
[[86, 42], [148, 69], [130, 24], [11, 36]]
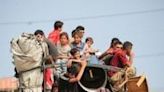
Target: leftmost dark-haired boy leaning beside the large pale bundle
[[53, 53]]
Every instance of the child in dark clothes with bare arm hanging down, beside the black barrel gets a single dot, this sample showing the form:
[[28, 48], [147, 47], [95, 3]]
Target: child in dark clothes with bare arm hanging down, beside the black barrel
[[76, 67]]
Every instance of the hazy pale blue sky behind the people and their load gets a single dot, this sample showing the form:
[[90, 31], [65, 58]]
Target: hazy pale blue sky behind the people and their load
[[138, 21]]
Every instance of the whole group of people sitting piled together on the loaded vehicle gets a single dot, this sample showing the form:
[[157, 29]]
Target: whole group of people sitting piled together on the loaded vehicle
[[70, 56]]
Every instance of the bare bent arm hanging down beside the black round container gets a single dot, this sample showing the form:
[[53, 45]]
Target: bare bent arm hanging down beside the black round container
[[79, 75]]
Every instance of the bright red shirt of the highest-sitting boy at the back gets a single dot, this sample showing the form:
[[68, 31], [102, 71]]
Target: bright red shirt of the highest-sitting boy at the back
[[54, 36]]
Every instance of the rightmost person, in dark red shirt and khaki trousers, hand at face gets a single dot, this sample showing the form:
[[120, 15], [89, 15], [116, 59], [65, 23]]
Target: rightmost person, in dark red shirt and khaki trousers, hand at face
[[120, 60]]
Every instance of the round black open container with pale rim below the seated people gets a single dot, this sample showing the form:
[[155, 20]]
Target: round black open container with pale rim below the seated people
[[93, 79]]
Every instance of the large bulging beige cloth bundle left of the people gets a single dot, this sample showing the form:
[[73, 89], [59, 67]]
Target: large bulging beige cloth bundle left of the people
[[27, 52]]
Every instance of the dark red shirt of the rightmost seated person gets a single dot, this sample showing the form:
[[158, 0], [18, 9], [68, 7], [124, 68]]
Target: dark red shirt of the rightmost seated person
[[119, 60]]
